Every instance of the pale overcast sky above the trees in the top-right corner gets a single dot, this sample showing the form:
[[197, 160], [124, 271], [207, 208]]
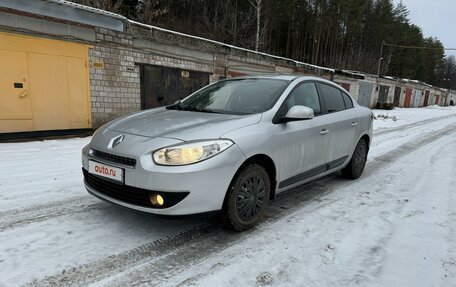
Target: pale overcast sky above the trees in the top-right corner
[[437, 18]]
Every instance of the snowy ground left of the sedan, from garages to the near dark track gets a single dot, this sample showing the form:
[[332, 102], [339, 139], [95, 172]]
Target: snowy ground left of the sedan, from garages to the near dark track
[[42, 182]]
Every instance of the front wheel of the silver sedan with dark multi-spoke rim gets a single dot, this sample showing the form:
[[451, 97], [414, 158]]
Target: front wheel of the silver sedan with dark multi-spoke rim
[[247, 198]]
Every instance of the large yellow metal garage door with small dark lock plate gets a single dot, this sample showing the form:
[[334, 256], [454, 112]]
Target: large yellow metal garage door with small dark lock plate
[[44, 84]]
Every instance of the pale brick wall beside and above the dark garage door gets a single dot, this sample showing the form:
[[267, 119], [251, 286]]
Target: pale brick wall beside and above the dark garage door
[[115, 72]]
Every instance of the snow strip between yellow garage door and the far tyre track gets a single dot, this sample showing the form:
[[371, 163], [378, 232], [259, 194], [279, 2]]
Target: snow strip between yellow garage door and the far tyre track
[[36, 172]]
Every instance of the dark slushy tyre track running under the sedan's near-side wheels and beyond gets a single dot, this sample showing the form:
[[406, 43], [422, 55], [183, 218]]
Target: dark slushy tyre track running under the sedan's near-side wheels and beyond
[[153, 263]]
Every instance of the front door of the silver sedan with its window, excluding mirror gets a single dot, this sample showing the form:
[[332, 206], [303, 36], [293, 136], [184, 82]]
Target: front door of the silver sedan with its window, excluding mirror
[[302, 146]]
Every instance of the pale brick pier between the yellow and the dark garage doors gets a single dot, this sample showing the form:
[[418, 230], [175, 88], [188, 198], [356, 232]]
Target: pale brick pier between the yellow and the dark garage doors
[[114, 78]]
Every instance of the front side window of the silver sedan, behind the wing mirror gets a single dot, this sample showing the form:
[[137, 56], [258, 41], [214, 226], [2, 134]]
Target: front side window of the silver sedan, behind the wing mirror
[[305, 95]]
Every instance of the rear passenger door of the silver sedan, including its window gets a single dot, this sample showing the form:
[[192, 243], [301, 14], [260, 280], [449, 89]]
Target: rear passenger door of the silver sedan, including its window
[[344, 123]]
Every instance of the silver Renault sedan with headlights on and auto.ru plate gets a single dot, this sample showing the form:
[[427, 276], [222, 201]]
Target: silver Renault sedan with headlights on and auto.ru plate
[[230, 146]]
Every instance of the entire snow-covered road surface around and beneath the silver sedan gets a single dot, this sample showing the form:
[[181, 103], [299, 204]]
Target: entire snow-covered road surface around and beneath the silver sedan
[[395, 226]]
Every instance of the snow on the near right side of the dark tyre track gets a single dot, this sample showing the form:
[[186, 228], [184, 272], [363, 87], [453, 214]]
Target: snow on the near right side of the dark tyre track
[[394, 228]]
